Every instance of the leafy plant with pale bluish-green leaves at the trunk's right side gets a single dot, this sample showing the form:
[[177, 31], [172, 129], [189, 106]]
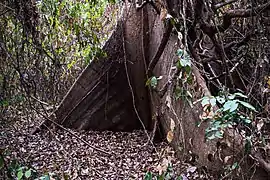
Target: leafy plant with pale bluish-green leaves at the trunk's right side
[[230, 113]]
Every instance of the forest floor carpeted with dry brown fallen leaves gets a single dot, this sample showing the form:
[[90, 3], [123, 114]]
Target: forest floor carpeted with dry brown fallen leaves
[[129, 155]]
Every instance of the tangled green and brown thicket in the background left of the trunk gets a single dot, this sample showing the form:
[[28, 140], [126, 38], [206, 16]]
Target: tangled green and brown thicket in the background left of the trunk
[[45, 48]]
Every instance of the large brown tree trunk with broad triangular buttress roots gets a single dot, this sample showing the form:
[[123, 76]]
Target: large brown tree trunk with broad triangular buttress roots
[[111, 93]]
